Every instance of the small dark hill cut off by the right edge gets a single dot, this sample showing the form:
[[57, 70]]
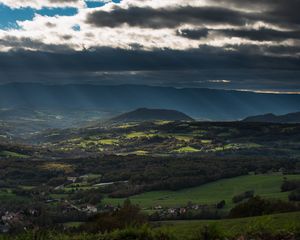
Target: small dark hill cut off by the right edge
[[272, 118]]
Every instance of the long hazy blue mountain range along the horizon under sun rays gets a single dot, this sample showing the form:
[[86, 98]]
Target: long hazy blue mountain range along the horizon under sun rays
[[200, 104]]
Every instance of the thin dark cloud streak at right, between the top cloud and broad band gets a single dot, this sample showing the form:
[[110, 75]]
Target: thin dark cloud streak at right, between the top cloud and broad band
[[262, 34]]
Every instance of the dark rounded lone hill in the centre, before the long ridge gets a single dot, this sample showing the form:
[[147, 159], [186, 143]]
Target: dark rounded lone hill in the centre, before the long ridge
[[146, 114]]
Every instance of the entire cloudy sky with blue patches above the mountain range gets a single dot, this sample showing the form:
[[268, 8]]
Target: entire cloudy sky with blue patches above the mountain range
[[249, 45]]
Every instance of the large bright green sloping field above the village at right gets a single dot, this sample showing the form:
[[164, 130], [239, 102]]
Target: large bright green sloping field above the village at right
[[267, 186]]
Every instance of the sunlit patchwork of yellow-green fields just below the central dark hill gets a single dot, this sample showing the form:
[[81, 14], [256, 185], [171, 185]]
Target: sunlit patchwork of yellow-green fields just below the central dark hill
[[176, 138]]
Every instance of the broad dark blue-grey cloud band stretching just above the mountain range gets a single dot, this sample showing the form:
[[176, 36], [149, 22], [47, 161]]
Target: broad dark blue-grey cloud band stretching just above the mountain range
[[245, 68]]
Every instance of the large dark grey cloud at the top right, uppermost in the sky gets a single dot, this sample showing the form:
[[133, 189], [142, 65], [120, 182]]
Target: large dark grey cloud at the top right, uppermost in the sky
[[282, 13]]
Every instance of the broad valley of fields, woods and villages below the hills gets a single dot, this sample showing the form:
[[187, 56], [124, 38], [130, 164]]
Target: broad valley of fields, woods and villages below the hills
[[172, 170]]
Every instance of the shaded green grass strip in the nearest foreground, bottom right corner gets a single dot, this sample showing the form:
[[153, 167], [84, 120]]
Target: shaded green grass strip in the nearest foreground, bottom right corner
[[273, 223]]
